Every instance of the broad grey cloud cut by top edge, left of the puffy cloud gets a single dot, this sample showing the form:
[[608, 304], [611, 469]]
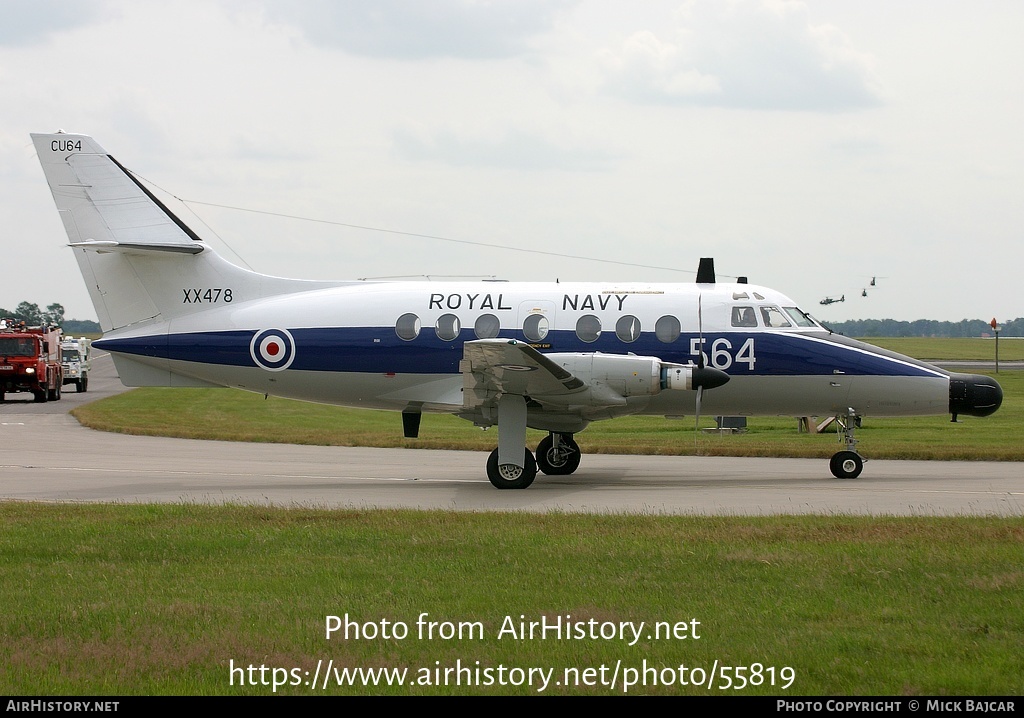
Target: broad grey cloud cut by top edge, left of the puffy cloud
[[415, 30]]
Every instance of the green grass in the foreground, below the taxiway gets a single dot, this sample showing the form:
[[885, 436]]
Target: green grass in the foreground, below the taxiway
[[161, 600]]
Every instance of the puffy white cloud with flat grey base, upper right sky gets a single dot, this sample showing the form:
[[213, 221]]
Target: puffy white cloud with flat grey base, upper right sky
[[761, 55]]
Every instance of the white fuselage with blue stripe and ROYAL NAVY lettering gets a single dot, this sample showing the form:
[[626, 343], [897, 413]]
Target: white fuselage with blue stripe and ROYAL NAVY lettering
[[387, 345]]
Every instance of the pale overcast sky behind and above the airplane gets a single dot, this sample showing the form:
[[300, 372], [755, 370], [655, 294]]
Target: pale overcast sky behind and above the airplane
[[808, 146]]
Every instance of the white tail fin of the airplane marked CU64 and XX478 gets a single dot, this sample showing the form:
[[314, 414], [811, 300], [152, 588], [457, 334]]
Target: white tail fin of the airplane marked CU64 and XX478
[[141, 263]]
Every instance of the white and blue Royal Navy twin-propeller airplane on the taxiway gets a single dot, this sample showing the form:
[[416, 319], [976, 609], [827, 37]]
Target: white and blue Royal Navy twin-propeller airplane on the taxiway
[[548, 356]]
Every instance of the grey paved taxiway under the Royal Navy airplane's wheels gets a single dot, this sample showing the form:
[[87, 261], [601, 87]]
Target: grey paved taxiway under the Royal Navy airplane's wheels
[[48, 456]]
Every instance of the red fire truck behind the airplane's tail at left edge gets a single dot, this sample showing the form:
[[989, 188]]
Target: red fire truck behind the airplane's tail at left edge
[[30, 360]]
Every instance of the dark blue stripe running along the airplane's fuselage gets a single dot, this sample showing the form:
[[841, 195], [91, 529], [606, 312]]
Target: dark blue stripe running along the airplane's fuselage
[[378, 350]]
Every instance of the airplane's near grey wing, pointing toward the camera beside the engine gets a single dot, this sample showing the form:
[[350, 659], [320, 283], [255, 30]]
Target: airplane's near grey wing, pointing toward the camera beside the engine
[[494, 367]]
